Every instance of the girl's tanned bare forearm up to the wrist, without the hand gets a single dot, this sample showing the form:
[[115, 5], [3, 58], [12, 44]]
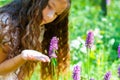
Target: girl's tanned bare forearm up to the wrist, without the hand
[[11, 64]]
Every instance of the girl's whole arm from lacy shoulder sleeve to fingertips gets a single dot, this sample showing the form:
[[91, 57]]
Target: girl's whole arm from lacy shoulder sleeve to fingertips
[[9, 40]]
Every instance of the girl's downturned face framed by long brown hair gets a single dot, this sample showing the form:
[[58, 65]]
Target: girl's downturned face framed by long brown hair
[[52, 10]]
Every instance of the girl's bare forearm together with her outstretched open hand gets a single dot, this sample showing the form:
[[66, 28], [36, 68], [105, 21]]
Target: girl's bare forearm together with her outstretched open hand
[[12, 64]]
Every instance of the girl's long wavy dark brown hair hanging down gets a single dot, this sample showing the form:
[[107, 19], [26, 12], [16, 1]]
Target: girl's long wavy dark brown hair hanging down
[[28, 15]]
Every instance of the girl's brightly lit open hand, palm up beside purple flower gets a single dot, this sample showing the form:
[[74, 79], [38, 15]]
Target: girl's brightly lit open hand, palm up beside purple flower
[[34, 56]]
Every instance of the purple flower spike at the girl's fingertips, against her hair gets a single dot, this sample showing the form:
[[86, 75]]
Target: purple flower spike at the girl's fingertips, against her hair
[[53, 47]]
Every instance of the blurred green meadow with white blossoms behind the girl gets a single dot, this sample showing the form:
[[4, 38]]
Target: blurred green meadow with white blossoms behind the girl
[[87, 15]]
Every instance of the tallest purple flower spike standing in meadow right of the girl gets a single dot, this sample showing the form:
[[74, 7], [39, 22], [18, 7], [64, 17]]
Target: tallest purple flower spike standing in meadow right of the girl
[[90, 39]]
